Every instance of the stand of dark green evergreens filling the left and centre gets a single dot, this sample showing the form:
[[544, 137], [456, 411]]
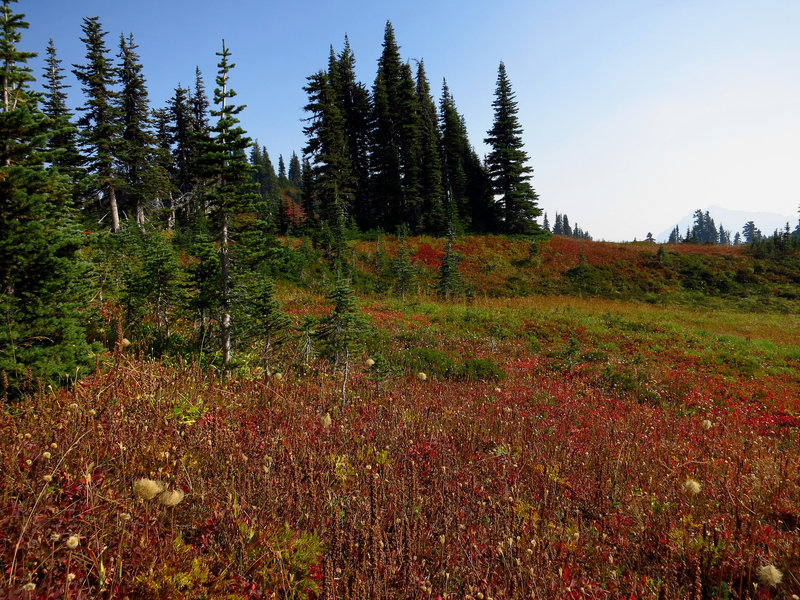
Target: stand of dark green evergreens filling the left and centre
[[121, 214]]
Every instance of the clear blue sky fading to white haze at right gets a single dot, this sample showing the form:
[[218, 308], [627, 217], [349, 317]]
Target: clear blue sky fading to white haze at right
[[635, 112]]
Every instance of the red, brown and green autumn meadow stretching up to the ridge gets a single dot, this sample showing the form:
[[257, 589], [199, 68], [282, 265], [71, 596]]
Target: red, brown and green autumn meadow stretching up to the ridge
[[542, 446]]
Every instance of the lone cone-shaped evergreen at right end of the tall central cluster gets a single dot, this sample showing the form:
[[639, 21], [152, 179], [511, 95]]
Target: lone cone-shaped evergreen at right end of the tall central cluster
[[507, 160]]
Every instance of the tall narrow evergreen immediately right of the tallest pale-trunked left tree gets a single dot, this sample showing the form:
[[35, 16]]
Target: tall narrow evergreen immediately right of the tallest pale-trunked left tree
[[137, 150]]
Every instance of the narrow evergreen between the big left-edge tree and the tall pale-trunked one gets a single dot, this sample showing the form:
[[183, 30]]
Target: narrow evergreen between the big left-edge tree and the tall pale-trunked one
[[63, 142]]
